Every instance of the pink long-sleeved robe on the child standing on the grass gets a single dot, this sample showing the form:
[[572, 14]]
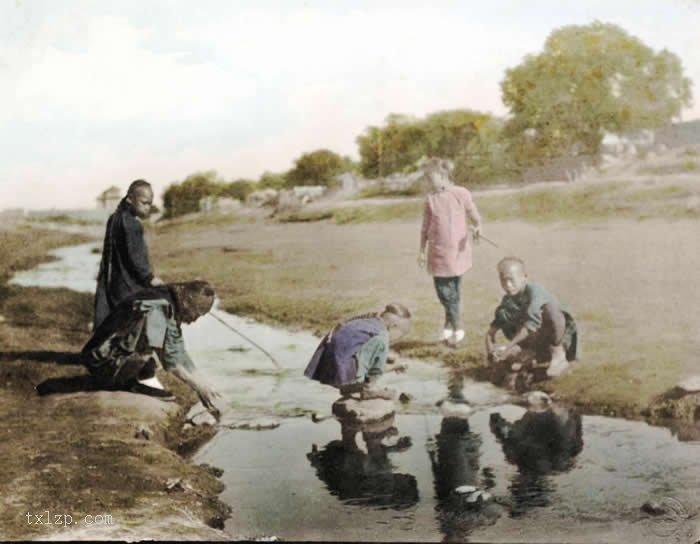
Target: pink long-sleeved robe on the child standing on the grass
[[445, 230]]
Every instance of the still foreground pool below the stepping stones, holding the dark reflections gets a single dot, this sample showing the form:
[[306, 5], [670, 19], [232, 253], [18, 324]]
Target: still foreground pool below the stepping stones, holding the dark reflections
[[567, 479]]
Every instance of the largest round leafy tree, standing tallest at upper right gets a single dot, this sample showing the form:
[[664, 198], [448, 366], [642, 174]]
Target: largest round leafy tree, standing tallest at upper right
[[587, 81]]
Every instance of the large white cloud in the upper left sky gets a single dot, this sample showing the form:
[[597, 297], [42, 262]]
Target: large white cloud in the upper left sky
[[116, 78]]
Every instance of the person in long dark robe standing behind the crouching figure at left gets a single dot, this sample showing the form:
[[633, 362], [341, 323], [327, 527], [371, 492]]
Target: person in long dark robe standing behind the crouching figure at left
[[125, 267]]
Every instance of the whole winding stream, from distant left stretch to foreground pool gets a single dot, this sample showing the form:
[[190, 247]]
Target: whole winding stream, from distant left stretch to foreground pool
[[553, 475]]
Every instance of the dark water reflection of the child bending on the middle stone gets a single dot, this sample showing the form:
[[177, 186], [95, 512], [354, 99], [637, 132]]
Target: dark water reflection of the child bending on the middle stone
[[366, 478]]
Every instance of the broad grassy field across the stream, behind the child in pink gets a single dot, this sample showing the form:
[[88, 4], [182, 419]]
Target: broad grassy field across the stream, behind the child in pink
[[622, 279]]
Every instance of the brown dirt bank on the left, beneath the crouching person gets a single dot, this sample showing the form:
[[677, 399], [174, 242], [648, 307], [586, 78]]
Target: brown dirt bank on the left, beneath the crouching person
[[87, 465]]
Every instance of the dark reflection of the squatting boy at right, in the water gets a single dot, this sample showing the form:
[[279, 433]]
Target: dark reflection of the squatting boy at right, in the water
[[542, 442]]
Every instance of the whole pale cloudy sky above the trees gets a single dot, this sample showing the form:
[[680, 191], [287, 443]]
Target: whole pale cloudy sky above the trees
[[99, 93]]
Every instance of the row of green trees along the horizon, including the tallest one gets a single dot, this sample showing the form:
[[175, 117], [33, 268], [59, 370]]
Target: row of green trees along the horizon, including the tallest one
[[587, 81]]
